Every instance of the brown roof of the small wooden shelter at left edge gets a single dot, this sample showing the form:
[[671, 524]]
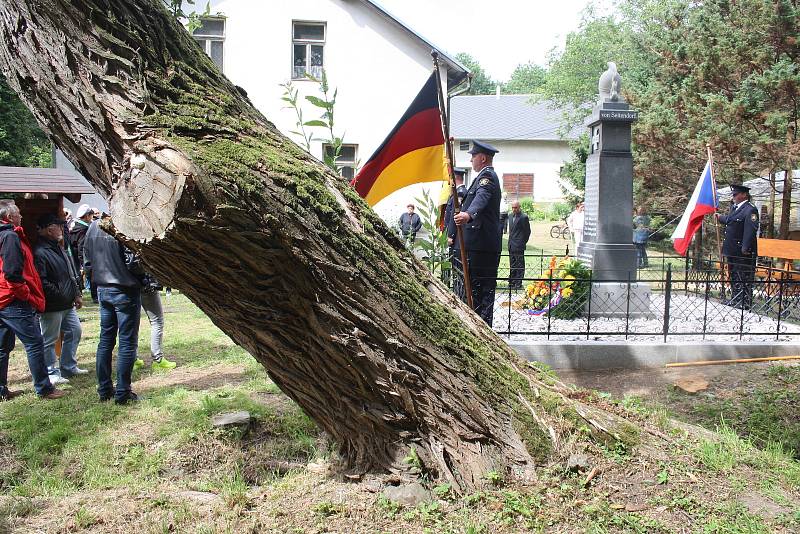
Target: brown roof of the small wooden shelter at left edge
[[39, 180]]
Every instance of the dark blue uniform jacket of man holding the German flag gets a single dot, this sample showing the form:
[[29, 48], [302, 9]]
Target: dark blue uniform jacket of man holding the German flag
[[482, 202]]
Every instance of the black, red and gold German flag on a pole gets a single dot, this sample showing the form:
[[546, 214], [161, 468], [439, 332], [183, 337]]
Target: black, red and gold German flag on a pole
[[414, 152]]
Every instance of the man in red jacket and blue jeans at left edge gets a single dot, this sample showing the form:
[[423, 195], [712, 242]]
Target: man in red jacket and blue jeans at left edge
[[21, 298]]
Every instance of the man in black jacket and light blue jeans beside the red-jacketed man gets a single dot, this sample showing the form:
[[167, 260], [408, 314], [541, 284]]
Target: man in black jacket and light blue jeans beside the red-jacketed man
[[62, 293]]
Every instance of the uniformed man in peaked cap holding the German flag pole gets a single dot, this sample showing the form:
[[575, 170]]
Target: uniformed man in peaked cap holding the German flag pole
[[480, 221]]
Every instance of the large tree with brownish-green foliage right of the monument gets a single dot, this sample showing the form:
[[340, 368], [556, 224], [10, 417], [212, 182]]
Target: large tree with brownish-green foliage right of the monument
[[724, 73]]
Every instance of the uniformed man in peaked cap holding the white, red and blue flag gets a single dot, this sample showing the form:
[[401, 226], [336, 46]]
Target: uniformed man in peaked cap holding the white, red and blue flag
[[740, 246]]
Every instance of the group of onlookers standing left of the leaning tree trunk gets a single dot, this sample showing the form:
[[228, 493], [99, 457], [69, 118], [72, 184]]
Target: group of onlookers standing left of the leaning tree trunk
[[42, 288]]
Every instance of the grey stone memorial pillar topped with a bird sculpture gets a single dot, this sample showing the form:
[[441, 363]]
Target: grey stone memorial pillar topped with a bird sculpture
[[607, 245]]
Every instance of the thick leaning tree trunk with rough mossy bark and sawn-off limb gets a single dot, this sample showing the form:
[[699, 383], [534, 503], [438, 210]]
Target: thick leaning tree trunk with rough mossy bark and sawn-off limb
[[279, 252]]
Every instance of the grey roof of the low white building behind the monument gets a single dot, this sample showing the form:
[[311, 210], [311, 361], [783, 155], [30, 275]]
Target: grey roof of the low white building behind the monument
[[506, 117]]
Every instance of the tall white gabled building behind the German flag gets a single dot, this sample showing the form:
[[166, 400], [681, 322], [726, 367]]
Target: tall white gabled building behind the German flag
[[375, 62]]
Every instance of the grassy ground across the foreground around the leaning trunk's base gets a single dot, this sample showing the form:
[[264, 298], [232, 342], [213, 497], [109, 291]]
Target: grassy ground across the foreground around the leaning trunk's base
[[60, 458]]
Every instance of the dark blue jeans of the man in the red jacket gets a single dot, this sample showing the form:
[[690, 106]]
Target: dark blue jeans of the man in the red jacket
[[19, 318]]
